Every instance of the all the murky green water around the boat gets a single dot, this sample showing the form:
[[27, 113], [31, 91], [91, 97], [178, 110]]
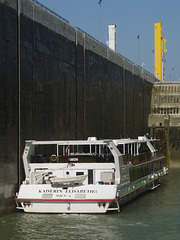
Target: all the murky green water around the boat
[[154, 215]]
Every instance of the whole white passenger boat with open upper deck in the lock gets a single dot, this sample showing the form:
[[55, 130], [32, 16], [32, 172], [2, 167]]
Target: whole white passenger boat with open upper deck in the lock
[[88, 176]]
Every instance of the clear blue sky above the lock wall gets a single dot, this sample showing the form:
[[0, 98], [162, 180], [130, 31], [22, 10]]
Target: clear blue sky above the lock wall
[[132, 18]]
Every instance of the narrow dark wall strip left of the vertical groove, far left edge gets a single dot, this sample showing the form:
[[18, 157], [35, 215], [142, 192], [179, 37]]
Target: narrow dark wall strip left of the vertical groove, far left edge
[[8, 104]]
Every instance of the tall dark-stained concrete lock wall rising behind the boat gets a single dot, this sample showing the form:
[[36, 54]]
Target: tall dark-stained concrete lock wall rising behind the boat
[[59, 83]]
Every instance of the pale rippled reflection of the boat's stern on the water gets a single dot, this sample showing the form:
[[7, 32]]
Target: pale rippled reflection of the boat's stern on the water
[[33, 226]]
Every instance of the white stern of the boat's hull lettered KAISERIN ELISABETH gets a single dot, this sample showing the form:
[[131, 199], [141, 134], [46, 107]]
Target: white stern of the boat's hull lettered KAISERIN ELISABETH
[[80, 199]]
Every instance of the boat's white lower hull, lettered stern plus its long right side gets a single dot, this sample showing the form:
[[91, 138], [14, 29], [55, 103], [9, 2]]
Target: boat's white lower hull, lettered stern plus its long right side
[[80, 199]]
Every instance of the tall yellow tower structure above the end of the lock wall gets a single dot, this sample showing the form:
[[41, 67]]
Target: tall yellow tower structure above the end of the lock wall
[[159, 50]]
